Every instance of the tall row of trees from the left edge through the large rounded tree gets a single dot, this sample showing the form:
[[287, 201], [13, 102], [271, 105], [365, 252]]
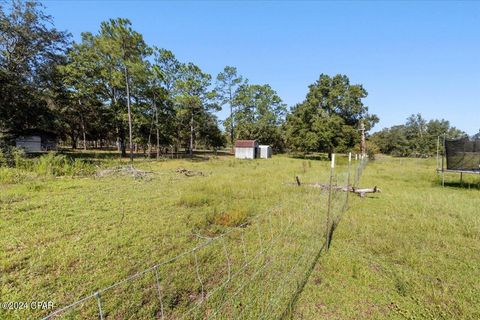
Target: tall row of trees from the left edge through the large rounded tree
[[111, 87]]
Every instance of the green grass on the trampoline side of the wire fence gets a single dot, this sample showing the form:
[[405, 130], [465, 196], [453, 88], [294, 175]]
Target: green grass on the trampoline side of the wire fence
[[410, 252]]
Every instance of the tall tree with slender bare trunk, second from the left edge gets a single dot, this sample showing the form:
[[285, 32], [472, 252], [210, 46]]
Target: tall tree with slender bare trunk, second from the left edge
[[111, 67]]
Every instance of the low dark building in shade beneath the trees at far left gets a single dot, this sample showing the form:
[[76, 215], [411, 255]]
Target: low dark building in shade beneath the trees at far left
[[36, 141]]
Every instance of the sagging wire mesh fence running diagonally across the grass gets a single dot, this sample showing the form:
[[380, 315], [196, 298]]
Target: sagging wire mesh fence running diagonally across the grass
[[256, 270]]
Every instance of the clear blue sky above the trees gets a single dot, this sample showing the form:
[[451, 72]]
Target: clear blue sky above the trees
[[410, 56]]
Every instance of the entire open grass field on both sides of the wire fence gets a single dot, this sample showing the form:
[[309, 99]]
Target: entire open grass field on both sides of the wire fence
[[408, 252]]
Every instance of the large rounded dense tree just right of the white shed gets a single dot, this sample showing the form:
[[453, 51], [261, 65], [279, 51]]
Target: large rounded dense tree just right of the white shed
[[329, 118]]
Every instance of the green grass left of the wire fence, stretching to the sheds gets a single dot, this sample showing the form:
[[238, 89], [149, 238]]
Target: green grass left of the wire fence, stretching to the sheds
[[64, 238]]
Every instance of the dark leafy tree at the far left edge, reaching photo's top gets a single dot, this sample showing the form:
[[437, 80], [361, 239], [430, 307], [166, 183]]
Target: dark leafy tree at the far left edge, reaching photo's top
[[29, 50]]
